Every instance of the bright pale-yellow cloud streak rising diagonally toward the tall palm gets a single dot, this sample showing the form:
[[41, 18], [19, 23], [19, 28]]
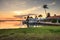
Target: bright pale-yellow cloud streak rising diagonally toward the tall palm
[[27, 11]]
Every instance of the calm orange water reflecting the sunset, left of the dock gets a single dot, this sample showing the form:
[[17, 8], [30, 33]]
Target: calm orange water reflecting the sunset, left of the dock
[[12, 24]]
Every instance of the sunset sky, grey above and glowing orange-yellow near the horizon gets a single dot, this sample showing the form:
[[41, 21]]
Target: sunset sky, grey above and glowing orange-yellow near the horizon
[[10, 8]]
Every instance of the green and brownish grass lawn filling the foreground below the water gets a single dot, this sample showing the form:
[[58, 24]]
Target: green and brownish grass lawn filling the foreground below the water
[[37, 33]]
